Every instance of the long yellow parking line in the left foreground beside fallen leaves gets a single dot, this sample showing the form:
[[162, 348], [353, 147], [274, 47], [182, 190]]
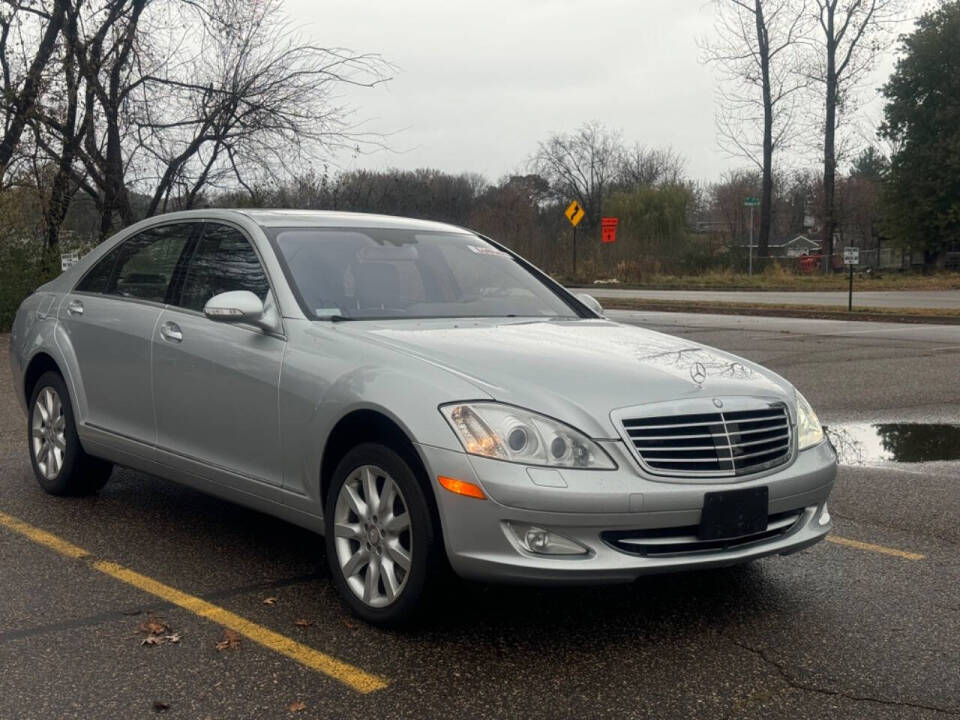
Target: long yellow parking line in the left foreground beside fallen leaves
[[349, 675]]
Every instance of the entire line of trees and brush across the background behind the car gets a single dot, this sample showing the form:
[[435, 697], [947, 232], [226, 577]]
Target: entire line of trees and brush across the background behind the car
[[114, 110]]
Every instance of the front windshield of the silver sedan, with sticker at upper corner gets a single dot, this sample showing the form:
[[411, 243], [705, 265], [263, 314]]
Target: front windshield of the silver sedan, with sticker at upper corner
[[390, 273]]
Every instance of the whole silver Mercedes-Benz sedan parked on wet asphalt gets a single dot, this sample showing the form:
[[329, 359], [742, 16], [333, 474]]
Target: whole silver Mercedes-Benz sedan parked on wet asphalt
[[417, 393]]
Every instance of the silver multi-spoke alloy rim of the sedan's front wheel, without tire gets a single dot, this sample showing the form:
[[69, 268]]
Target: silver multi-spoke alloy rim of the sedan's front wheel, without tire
[[373, 535]]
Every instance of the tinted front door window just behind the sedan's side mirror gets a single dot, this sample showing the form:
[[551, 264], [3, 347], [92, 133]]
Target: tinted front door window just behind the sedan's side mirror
[[224, 260]]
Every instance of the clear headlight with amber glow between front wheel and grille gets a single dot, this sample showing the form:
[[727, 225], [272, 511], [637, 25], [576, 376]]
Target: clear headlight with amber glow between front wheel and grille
[[504, 432]]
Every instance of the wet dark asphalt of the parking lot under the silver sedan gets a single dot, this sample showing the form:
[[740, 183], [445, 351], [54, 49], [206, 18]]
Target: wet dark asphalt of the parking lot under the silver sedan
[[864, 626]]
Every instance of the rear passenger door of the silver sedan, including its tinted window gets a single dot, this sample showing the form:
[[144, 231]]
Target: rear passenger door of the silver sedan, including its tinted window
[[110, 319]]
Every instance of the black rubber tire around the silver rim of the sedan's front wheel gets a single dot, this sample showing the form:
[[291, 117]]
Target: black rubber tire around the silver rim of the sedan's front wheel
[[426, 553]]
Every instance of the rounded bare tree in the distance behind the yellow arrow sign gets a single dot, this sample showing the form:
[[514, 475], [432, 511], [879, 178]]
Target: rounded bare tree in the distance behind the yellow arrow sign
[[581, 166]]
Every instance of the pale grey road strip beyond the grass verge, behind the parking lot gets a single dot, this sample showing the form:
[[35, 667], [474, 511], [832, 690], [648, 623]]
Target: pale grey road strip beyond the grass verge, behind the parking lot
[[943, 299]]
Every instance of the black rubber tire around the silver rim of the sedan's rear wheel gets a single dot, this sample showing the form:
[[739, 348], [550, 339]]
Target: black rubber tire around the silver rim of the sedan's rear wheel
[[78, 473]]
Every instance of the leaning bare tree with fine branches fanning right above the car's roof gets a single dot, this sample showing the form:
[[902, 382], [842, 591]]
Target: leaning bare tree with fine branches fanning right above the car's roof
[[254, 101]]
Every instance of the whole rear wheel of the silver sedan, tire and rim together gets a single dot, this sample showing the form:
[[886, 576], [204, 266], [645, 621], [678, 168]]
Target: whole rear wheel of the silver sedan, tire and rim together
[[59, 462]]
